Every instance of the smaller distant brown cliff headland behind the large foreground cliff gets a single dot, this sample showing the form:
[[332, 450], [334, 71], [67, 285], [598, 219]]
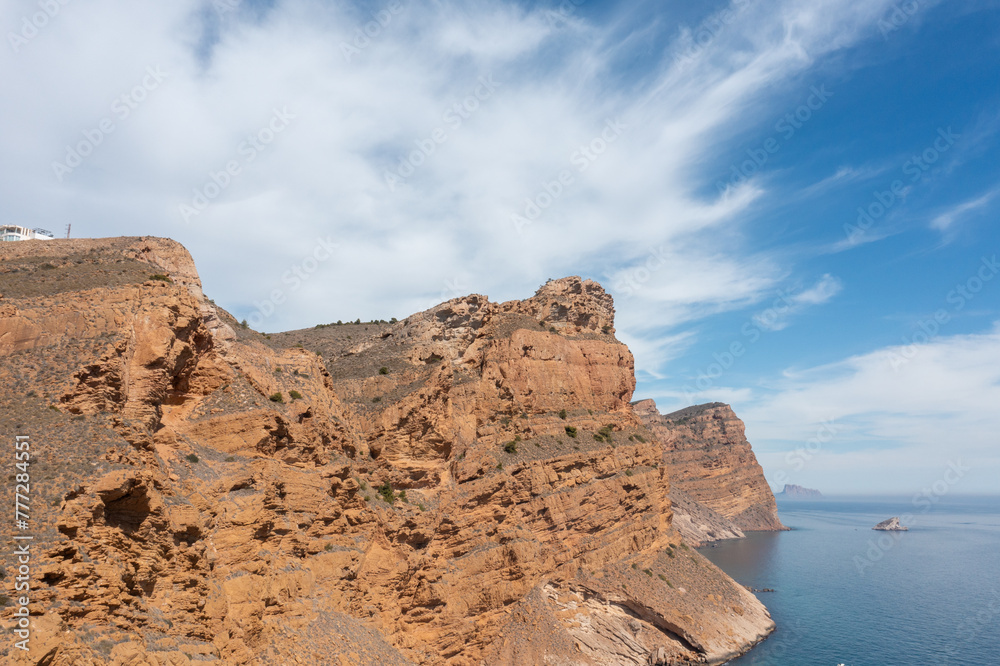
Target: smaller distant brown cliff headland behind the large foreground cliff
[[711, 463]]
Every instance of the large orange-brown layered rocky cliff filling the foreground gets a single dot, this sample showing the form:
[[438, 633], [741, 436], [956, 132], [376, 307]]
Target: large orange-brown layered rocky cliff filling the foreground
[[468, 486]]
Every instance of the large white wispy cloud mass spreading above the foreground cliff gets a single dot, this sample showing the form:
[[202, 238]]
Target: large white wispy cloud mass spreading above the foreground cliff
[[325, 175]]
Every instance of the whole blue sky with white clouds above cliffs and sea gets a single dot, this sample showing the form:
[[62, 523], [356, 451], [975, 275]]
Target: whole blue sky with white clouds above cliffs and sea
[[794, 202]]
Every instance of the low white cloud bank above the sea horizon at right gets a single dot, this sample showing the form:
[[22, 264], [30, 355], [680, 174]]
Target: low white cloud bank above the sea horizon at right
[[910, 409]]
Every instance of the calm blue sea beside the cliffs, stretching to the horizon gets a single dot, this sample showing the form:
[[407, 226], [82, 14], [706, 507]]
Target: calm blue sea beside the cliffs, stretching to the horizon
[[845, 594]]
